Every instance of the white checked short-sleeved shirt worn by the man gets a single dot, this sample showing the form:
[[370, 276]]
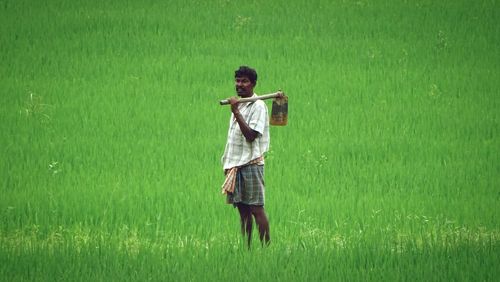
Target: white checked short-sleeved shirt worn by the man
[[238, 150]]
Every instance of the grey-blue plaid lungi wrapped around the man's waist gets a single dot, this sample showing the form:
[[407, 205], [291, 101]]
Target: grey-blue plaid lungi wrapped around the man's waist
[[249, 188]]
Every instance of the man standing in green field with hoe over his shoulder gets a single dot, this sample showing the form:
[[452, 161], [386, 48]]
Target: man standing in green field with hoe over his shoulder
[[243, 159]]
